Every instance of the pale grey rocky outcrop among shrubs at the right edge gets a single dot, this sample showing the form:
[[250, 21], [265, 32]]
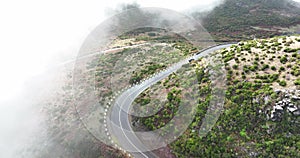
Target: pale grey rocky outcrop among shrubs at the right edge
[[289, 102]]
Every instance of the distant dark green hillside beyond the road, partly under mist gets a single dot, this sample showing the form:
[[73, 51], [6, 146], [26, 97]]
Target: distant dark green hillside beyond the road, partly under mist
[[239, 19]]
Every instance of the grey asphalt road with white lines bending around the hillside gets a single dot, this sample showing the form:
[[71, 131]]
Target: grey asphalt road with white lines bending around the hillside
[[118, 117]]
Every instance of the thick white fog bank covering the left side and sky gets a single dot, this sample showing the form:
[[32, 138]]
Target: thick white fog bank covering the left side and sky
[[36, 37]]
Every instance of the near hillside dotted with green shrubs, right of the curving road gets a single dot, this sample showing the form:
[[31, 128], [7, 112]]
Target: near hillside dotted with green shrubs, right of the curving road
[[261, 111]]
